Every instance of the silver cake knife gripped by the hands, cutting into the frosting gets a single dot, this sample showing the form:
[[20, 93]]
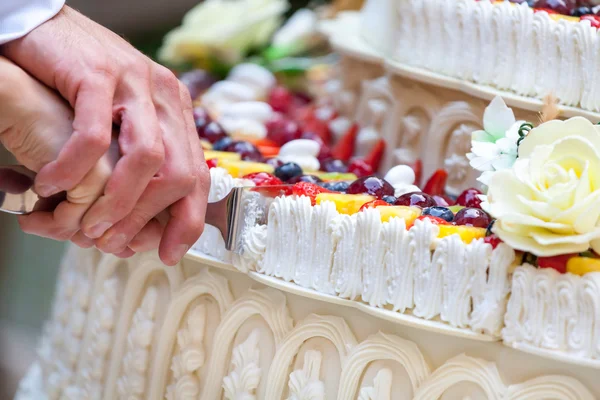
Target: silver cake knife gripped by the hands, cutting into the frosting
[[241, 208]]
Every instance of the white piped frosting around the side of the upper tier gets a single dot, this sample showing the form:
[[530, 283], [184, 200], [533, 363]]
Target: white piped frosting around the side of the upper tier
[[503, 45]]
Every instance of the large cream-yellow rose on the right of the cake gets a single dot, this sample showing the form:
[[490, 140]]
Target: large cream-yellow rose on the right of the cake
[[548, 203]]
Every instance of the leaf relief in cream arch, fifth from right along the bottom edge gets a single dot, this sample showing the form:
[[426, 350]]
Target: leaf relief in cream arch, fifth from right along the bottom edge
[[133, 381]]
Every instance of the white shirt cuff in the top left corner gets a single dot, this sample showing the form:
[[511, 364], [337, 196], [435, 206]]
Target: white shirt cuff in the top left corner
[[19, 17]]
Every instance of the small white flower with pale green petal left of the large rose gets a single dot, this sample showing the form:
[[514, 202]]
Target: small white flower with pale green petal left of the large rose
[[495, 147]]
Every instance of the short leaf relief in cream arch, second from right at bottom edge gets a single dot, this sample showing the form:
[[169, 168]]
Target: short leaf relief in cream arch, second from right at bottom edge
[[304, 384]]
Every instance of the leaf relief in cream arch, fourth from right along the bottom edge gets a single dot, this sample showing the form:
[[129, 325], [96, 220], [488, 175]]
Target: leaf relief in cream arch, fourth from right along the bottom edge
[[189, 357]]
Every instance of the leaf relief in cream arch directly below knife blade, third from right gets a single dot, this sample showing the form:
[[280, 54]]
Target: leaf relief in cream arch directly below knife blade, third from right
[[243, 380]]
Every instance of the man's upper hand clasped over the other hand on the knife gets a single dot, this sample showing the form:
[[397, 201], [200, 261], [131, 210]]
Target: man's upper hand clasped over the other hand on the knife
[[107, 81]]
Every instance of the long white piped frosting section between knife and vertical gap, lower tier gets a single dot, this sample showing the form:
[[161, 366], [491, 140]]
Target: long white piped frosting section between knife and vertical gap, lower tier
[[358, 256]]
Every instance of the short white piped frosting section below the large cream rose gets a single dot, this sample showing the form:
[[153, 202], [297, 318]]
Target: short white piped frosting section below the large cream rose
[[555, 312]]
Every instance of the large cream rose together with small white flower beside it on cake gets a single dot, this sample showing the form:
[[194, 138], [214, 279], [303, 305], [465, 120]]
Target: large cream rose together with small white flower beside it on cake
[[543, 185]]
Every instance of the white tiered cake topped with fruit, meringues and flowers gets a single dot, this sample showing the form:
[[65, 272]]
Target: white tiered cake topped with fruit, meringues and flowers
[[362, 287]]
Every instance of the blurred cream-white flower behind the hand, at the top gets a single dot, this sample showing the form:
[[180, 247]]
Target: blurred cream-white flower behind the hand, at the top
[[223, 29]]
